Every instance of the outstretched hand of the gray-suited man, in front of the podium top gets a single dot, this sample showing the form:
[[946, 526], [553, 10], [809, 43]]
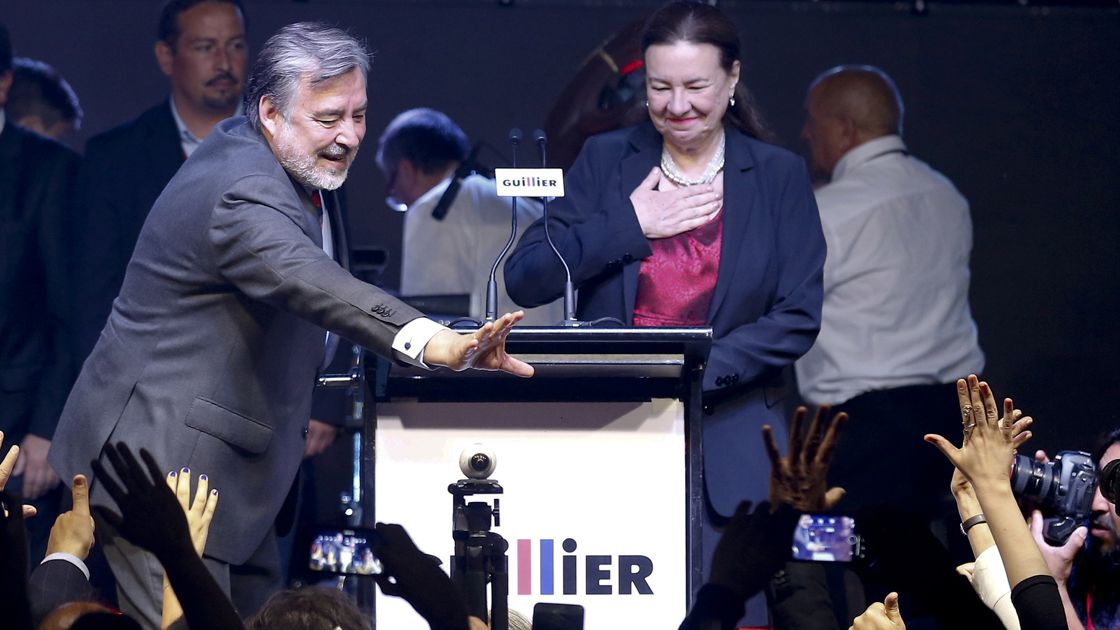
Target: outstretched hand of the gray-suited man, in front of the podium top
[[482, 350]]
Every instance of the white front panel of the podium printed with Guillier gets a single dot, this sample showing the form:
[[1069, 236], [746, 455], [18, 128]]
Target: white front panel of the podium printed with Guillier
[[594, 507]]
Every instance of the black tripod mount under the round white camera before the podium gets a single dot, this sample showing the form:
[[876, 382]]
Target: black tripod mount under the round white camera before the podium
[[480, 554]]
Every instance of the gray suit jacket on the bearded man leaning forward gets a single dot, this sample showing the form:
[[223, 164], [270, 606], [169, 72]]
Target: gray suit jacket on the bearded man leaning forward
[[210, 354]]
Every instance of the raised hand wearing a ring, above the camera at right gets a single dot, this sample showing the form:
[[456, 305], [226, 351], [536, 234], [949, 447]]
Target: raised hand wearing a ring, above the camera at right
[[991, 439]]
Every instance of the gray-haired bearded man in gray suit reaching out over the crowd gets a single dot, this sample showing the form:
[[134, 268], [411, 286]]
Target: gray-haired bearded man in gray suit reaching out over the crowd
[[211, 350]]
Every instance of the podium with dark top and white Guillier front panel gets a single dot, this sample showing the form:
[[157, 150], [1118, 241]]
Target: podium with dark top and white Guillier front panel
[[599, 456]]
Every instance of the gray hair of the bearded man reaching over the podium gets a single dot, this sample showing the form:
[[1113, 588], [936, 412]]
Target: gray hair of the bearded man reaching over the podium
[[312, 50]]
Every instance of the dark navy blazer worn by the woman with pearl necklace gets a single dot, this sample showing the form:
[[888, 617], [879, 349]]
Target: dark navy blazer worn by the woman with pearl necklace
[[767, 307]]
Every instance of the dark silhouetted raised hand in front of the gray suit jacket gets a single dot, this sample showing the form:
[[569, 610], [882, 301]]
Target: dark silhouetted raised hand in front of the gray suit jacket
[[151, 514]]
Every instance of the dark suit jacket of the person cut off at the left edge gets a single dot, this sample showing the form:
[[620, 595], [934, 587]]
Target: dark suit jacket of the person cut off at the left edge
[[36, 179]]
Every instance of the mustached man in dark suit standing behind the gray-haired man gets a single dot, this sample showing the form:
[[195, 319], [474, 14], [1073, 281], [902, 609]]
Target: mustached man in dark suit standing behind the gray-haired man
[[202, 50]]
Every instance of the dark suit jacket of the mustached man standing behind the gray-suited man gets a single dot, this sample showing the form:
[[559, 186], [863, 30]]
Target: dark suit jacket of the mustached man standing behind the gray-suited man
[[124, 172]]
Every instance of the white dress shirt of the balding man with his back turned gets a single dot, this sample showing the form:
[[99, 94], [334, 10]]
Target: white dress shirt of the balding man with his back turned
[[897, 279]]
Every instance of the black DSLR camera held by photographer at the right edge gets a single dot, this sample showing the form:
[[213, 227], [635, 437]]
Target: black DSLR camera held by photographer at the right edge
[[1065, 488]]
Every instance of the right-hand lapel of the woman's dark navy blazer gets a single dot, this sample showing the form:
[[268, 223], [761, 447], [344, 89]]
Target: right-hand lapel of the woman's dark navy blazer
[[740, 194]]
